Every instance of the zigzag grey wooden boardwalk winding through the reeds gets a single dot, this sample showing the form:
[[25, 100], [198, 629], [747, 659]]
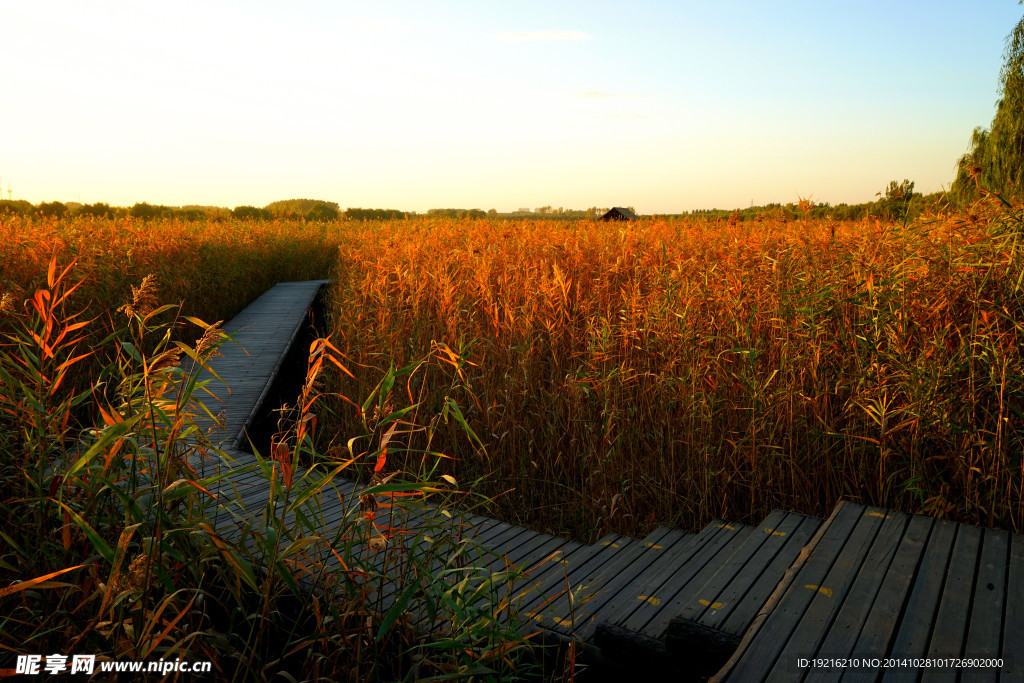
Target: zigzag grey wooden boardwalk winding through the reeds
[[733, 602]]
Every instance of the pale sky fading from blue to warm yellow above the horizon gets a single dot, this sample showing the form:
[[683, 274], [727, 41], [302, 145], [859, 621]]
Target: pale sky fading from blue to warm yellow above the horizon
[[666, 107]]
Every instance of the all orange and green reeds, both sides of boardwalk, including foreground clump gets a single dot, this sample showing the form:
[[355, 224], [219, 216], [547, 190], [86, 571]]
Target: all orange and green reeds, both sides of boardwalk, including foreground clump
[[573, 376]]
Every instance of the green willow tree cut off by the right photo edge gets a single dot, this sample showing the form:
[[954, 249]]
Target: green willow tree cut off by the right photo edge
[[996, 159]]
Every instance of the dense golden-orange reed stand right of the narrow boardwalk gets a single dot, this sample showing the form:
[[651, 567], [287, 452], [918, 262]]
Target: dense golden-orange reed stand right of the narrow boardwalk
[[679, 371]]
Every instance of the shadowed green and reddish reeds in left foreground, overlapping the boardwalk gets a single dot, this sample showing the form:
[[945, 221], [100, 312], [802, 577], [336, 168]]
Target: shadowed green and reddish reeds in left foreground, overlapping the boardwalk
[[114, 541]]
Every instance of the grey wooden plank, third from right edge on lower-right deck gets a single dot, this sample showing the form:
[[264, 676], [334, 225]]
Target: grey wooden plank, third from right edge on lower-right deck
[[955, 607]]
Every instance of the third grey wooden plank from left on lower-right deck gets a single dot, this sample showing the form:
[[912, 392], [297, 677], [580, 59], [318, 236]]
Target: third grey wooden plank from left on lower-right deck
[[856, 607]]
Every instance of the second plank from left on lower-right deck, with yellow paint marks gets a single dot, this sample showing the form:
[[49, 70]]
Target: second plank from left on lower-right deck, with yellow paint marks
[[829, 595]]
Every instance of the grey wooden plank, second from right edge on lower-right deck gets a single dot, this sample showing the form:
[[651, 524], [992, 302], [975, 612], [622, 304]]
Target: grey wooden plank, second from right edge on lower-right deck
[[986, 628]]
